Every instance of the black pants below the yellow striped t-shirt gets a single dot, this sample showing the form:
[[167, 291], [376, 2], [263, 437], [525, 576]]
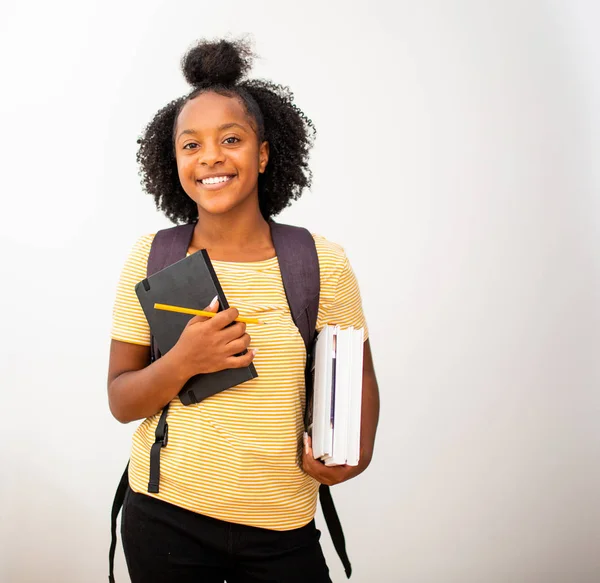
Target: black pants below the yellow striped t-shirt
[[167, 544]]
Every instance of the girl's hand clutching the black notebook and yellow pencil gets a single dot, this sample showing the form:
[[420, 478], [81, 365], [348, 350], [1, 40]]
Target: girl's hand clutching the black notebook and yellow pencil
[[210, 344]]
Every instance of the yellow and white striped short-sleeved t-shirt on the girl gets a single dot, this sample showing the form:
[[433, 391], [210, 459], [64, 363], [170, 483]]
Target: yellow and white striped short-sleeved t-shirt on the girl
[[236, 455]]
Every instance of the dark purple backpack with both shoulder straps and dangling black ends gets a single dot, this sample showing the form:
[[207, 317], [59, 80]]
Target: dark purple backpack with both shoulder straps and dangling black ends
[[299, 266]]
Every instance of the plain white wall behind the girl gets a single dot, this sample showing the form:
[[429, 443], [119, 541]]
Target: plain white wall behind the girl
[[456, 161]]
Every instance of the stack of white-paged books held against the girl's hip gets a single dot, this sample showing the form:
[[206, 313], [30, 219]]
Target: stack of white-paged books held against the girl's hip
[[333, 413]]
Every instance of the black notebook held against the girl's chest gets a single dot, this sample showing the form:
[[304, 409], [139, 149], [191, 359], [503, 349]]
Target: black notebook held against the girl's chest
[[189, 283]]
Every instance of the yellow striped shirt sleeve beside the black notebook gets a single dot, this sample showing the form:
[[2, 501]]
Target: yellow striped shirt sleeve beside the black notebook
[[129, 322]]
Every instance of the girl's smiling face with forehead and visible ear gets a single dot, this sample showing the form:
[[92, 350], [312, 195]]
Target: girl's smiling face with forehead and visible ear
[[218, 154]]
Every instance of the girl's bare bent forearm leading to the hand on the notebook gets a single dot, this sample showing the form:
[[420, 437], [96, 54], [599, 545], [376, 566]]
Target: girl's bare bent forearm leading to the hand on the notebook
[[138, 394]]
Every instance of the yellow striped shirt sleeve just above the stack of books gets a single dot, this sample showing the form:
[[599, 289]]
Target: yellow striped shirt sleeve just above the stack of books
[[340, 302]]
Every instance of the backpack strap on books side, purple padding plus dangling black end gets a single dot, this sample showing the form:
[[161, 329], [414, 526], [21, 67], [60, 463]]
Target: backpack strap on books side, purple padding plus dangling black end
[[299, 266]]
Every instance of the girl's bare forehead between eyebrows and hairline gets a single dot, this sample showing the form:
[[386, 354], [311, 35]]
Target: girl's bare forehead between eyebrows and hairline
[[211, 110]]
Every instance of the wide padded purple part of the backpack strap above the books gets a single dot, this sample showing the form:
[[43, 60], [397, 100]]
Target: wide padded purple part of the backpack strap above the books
[[299, 266]]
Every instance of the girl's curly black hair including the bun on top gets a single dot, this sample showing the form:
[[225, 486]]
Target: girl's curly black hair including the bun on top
[[219, 66]]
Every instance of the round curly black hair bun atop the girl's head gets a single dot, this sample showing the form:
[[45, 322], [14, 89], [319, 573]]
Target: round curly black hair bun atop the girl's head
[[217, 62]]
